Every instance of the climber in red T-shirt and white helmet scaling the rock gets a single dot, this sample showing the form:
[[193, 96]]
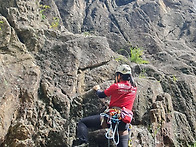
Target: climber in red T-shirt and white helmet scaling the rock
[[122, 95]]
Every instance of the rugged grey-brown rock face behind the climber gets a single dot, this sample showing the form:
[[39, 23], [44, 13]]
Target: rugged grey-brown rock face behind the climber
[[52, 52]]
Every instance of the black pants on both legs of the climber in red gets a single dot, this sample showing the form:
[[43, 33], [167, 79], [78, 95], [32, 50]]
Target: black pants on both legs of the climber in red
[[94, 122]]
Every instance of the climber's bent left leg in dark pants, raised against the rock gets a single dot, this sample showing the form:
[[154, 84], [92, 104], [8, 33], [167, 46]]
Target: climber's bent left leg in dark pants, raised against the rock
[[87, 122]]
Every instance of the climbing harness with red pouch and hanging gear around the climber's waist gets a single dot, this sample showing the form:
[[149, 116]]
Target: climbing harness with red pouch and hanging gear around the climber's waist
[[114, 116]]
